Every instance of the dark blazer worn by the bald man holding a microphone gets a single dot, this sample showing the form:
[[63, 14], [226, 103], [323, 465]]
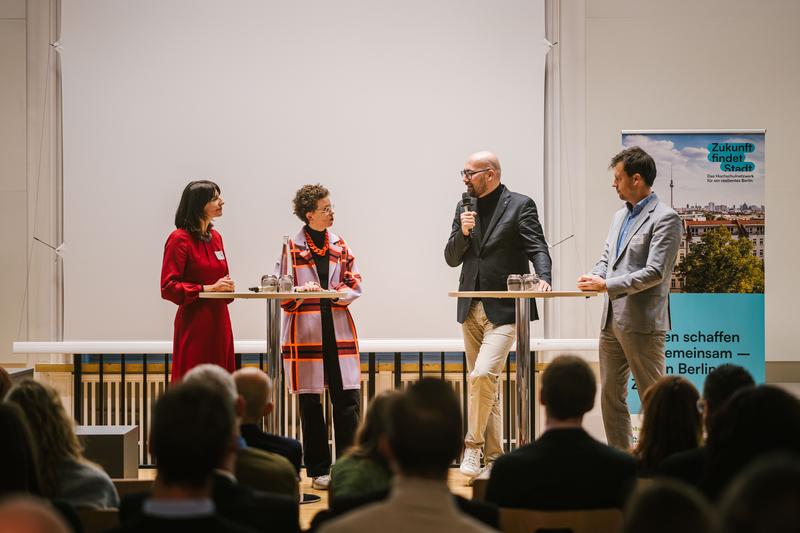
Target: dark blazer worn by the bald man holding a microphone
[[512, 238]]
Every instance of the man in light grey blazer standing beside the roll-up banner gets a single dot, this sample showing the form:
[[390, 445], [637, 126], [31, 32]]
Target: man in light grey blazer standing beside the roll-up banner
[[635, 271]]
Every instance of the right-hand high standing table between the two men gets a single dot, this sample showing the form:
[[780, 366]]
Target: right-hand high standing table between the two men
[[526, 418]]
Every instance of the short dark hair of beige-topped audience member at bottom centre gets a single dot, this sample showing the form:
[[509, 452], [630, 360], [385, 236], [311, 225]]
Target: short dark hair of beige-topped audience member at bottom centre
[[425, 428]]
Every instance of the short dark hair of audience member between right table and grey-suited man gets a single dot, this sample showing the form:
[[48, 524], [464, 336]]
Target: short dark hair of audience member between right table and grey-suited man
[[568, 387]]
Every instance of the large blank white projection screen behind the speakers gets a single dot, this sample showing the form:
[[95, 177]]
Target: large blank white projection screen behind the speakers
[[380, 101]]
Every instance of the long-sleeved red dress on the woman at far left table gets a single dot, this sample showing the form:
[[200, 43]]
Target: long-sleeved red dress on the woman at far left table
[[202, 327]]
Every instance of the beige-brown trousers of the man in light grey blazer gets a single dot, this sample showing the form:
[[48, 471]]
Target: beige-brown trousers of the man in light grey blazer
[[623, 353]]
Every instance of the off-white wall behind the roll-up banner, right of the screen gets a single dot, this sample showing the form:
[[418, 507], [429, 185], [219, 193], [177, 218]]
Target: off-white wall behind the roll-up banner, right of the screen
[[685, 65]]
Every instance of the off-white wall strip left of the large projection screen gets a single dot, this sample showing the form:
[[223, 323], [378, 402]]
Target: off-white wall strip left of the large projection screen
[[27, 174]]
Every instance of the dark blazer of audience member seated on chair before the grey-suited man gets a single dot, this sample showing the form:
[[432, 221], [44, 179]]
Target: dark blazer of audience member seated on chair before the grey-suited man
[[565, 469]]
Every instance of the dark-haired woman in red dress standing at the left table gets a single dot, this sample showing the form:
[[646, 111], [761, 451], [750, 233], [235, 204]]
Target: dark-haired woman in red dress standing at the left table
[[195, 262]]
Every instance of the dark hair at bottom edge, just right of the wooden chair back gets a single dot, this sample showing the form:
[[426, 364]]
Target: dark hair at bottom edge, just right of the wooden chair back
[[665, 506]]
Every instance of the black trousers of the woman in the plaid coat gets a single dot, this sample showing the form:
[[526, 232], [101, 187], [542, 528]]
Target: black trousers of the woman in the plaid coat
[[346, 411]]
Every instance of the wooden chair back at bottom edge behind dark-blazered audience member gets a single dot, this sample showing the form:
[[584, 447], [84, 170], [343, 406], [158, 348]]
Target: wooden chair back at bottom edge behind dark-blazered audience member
[[583, 521]]
